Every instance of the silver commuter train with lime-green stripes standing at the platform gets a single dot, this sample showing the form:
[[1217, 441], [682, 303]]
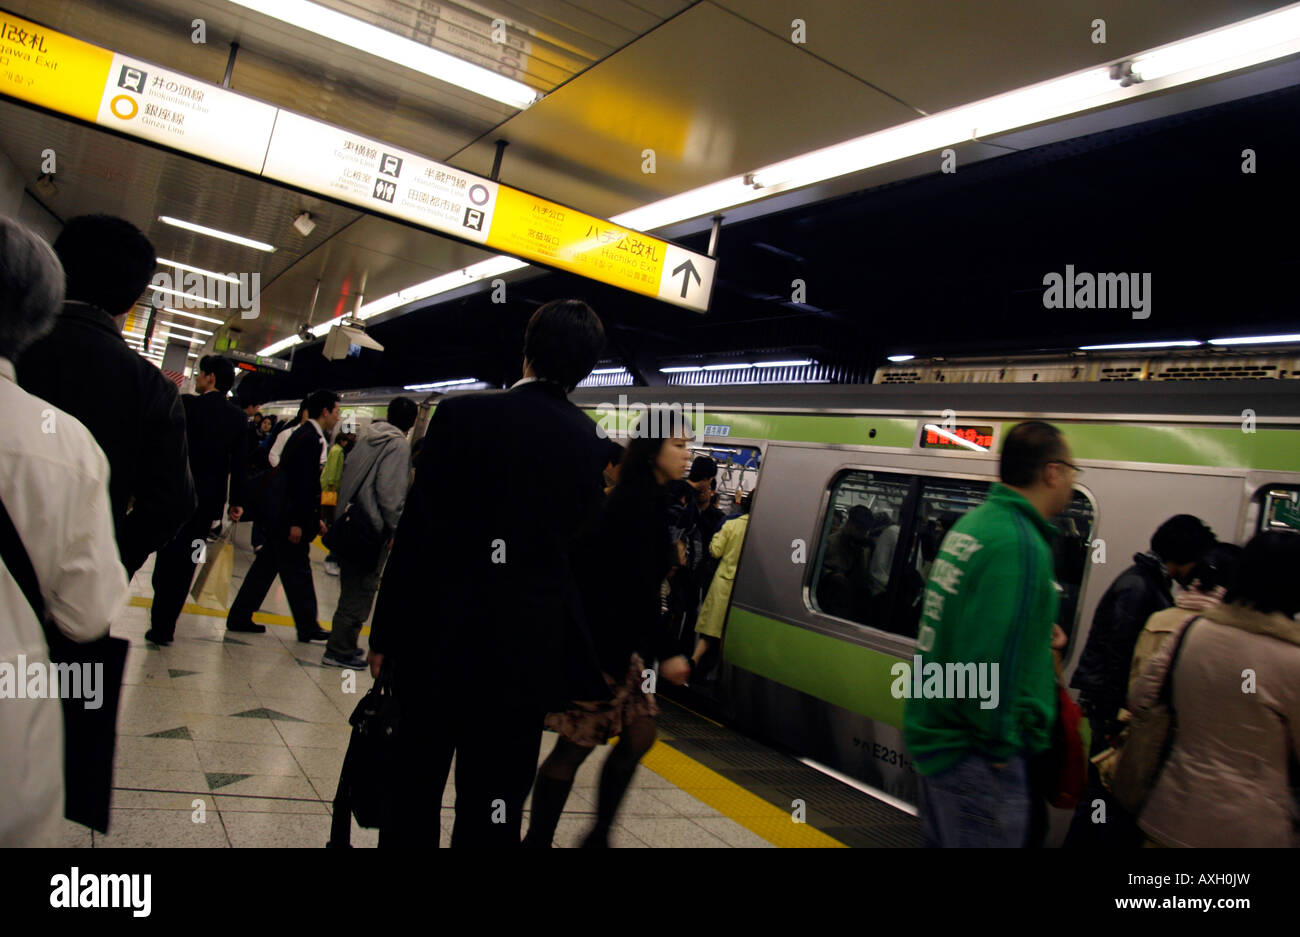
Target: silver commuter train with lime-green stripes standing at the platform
[[809, 671]]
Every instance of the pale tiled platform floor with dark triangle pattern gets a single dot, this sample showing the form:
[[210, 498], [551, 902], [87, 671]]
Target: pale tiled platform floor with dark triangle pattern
[[253, 727]]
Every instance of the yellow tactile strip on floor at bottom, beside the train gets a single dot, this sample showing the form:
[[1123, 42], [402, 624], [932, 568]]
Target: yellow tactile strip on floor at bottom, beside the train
[[733, 801]]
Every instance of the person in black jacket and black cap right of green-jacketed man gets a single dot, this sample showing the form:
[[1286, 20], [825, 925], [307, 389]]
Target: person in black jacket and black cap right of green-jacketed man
[[1102, 676]]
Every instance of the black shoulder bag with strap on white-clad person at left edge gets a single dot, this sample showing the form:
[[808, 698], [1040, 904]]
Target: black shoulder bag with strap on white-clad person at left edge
[[90, 736]]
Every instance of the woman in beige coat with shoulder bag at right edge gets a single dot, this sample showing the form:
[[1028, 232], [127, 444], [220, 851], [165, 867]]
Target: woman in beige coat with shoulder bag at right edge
[[1236, 697]]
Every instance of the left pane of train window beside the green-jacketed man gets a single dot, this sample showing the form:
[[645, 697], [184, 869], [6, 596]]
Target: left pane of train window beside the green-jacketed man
[[857, 546]]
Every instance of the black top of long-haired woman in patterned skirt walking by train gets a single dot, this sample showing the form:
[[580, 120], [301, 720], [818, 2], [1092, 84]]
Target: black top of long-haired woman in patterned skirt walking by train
[[623, 566]]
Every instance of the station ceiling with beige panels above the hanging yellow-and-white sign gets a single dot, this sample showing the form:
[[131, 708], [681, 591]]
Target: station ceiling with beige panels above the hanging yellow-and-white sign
[[716, 88]]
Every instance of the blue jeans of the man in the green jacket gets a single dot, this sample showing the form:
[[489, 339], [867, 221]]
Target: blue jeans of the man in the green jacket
[[976, 804]]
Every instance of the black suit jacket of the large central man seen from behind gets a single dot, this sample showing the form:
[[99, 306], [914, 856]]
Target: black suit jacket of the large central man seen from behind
[[479, 598]]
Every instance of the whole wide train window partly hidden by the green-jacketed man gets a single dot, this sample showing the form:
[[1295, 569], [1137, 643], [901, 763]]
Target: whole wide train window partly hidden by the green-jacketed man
[[882, 536]]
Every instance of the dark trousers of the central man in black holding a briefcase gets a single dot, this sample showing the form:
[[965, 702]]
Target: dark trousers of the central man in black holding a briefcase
[[496, 752]]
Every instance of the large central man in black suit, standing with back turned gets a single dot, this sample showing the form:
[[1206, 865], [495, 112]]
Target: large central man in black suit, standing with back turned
[[479, 614]]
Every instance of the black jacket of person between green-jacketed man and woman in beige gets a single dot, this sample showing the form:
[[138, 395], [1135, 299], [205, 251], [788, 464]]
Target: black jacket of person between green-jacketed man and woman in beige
[[1103, 673]]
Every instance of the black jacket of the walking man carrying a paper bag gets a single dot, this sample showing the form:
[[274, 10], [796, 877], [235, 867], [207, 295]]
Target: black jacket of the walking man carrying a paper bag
[[218, 436]]
